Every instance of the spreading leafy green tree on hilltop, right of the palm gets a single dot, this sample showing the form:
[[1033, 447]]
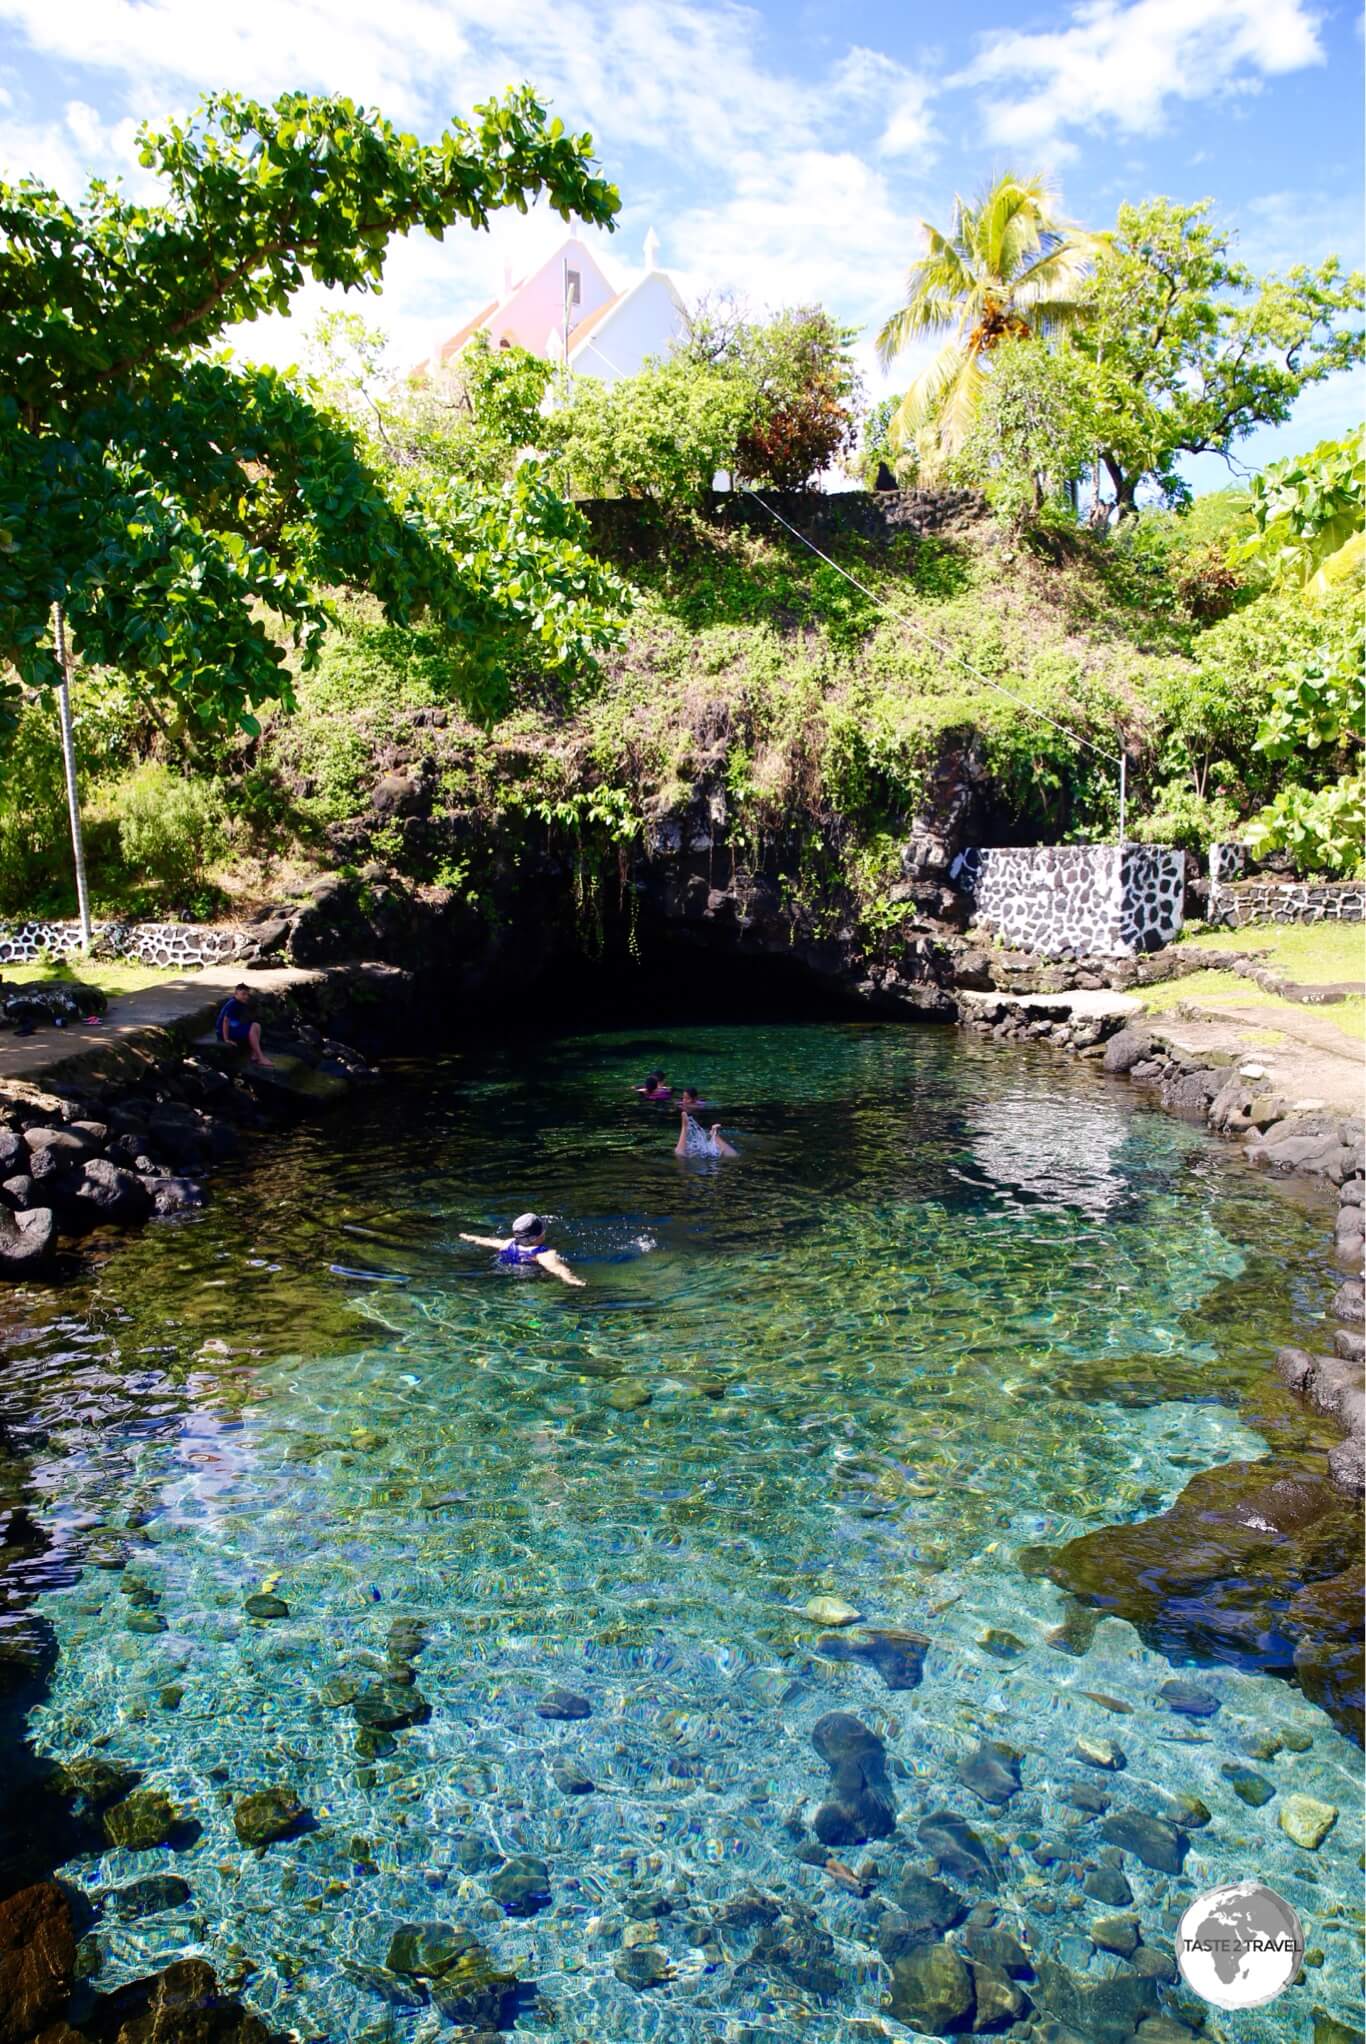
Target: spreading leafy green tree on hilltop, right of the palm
[[1193, 353]]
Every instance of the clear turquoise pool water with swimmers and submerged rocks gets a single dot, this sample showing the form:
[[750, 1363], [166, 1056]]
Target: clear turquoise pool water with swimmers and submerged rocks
[[950, 1303]]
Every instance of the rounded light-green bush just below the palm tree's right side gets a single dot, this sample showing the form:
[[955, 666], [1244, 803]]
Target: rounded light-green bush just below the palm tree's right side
[[1034, 430]]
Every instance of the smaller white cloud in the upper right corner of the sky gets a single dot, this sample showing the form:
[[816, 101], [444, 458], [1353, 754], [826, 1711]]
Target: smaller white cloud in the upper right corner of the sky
[[1122, 62]]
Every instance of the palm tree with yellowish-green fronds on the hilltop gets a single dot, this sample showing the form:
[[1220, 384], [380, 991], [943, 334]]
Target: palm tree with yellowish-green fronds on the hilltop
[[1009, 269]]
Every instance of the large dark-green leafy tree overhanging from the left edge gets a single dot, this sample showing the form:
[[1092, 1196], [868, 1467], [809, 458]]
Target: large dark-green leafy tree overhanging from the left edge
[[187, 514]]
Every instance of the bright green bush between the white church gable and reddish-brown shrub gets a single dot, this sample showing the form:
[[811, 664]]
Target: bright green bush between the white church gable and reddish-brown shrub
[[662, 434]]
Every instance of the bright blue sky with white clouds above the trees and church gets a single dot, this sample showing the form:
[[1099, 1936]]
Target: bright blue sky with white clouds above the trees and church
[[786, 152]]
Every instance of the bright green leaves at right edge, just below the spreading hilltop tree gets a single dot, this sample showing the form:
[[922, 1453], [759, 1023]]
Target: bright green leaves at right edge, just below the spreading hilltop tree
[[1310, 518]]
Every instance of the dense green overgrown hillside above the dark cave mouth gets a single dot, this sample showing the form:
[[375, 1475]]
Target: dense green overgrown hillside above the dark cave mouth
[[752, 676]]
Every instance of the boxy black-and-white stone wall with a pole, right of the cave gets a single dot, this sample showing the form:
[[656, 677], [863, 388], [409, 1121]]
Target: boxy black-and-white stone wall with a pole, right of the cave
[[1077, 900]]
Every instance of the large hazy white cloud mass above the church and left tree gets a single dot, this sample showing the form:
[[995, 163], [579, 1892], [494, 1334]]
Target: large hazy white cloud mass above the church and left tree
[[756, 179]]
